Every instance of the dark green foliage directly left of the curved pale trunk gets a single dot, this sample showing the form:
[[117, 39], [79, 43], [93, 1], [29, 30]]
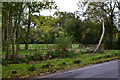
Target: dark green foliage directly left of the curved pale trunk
[[92, 32]]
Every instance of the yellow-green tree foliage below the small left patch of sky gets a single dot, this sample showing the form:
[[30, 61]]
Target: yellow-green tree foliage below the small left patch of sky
[[46, 27]]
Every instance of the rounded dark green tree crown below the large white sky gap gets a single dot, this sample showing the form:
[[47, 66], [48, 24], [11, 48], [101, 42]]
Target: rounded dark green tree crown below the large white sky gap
[[74, 27]]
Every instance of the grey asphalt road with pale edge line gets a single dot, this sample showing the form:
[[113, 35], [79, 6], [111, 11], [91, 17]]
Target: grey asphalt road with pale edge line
[[104, 70]]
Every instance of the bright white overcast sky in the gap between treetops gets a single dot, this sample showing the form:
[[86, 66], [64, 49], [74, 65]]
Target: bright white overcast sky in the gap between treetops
[[63, 5]]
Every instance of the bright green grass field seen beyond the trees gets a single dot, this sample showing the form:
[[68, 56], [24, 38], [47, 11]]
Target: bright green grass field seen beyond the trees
[[40, 48]]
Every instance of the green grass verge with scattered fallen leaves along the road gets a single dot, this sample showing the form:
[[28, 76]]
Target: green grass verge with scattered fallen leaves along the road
[[86, 59]]
